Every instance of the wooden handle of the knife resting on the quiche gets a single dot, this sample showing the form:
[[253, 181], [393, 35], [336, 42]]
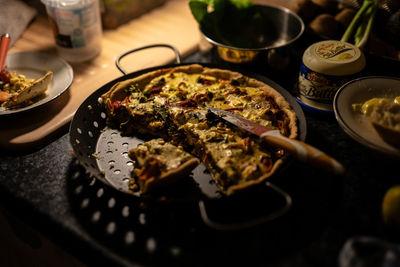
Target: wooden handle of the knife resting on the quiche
[[303, 152]]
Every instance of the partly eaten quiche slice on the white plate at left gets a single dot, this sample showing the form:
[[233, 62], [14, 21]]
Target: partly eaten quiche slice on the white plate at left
[[17, 90]]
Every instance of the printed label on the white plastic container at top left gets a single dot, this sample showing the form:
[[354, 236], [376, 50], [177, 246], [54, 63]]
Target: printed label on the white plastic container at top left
[[75, 28]]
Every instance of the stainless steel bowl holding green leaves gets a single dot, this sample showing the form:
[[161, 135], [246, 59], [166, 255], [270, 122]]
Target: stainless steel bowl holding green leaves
[[280, 28]]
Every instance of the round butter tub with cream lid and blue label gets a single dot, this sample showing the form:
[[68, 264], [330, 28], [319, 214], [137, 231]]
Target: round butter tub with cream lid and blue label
[[325, 67]]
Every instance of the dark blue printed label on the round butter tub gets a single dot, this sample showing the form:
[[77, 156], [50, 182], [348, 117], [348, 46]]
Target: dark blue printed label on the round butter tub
[[318, 90]]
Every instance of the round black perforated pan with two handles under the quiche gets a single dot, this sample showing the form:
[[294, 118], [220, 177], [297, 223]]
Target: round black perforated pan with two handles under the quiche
[[103, 151]]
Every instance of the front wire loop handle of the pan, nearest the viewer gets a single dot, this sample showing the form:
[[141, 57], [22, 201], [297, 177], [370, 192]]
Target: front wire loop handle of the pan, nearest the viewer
[[250, 223]]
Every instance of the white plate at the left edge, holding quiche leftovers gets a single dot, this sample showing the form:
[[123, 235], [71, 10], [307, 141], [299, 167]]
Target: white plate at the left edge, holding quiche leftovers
[[35, 65]]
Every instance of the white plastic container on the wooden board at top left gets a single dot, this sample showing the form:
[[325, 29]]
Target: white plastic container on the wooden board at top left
[[77, 28]]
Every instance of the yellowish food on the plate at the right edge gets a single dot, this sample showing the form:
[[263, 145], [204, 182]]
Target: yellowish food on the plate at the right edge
[[384, 114]]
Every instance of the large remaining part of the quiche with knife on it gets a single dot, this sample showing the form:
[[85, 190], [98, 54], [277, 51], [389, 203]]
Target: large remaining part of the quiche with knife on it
[[171, 103]]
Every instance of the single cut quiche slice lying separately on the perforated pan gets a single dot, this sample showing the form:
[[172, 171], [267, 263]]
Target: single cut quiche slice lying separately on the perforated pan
[[159, 163]]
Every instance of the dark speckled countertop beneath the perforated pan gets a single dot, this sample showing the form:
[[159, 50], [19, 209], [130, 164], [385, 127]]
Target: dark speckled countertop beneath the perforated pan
[[48, 190]]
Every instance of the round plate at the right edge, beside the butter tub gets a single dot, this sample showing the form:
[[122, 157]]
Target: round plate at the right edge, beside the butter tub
[[354, 123]]
